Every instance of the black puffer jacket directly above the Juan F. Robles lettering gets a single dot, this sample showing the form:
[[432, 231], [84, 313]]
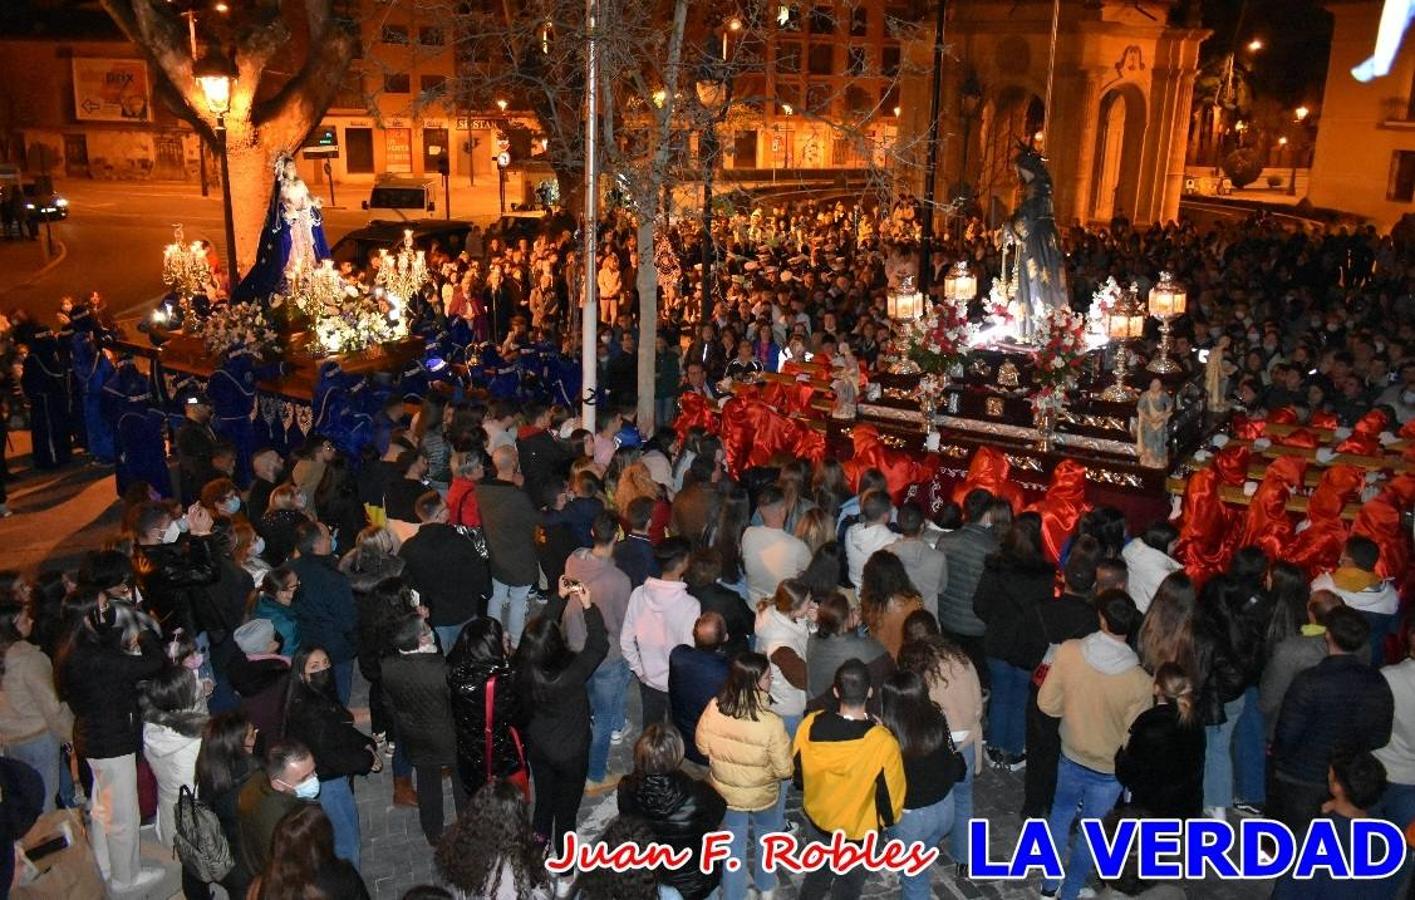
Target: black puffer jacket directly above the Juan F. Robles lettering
[[680, 812]]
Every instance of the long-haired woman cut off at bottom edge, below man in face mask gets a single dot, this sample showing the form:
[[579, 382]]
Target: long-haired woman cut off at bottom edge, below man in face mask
[[308, 865]]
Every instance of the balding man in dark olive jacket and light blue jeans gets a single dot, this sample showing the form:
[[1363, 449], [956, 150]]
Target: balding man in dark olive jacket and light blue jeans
[[509, 519]]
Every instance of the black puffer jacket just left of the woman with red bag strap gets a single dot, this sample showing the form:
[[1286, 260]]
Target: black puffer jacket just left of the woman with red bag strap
[[417, 691]]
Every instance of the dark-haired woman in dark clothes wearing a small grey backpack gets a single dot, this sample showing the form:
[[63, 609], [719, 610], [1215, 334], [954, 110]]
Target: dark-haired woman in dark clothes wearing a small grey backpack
[[224, 763]]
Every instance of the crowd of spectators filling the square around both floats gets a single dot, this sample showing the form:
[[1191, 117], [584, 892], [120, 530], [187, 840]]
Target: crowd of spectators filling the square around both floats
[[504, 578]]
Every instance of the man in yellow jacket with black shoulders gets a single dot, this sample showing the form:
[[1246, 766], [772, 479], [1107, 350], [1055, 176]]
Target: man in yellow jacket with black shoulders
[[853, 776]]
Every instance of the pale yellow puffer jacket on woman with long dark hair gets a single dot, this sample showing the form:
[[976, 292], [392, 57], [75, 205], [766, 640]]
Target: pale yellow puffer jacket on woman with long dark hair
[[746, 759]]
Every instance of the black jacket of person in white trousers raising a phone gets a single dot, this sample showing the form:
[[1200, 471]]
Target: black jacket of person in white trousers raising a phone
[[100, 683]]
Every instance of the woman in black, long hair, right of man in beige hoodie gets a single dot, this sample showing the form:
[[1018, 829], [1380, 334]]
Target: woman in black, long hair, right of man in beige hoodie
[[1162, 762]]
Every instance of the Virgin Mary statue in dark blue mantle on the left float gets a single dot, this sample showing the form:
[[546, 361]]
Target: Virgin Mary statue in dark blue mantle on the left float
[[292, 236]]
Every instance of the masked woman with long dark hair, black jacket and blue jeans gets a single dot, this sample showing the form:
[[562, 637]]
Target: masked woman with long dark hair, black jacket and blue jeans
[[315, 717]]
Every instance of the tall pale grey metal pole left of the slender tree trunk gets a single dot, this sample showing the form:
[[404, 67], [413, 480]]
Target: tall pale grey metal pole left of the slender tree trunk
[[591, 316]]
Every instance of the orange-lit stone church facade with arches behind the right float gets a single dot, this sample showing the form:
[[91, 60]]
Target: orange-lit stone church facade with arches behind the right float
[[1121, 96]]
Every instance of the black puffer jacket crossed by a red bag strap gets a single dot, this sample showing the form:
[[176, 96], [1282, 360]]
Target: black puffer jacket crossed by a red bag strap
[[468, 686]]
